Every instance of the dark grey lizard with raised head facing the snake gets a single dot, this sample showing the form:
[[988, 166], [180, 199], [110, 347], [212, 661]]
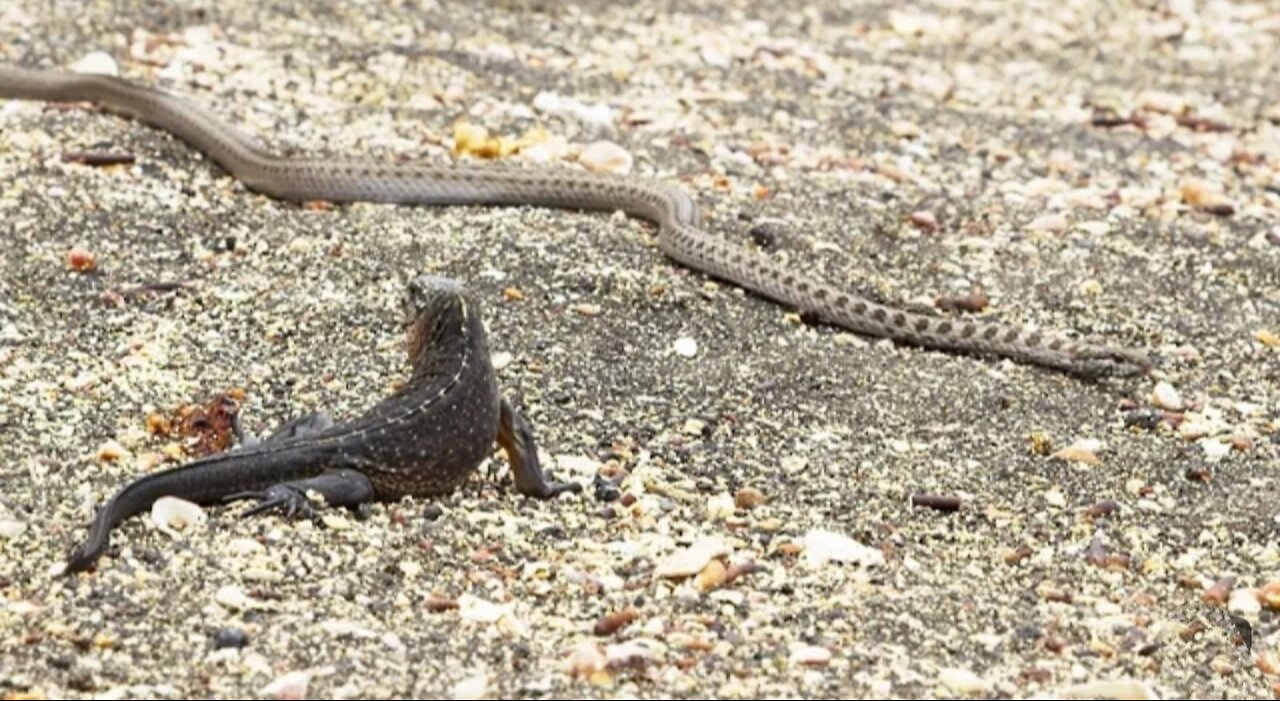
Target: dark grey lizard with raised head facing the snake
[[423, 441]]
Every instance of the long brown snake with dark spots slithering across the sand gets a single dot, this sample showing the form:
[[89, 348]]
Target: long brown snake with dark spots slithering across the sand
[[676, 214]]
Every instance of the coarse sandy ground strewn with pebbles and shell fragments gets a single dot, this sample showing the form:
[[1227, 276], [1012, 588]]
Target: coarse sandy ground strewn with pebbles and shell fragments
[[1105, 168]]
